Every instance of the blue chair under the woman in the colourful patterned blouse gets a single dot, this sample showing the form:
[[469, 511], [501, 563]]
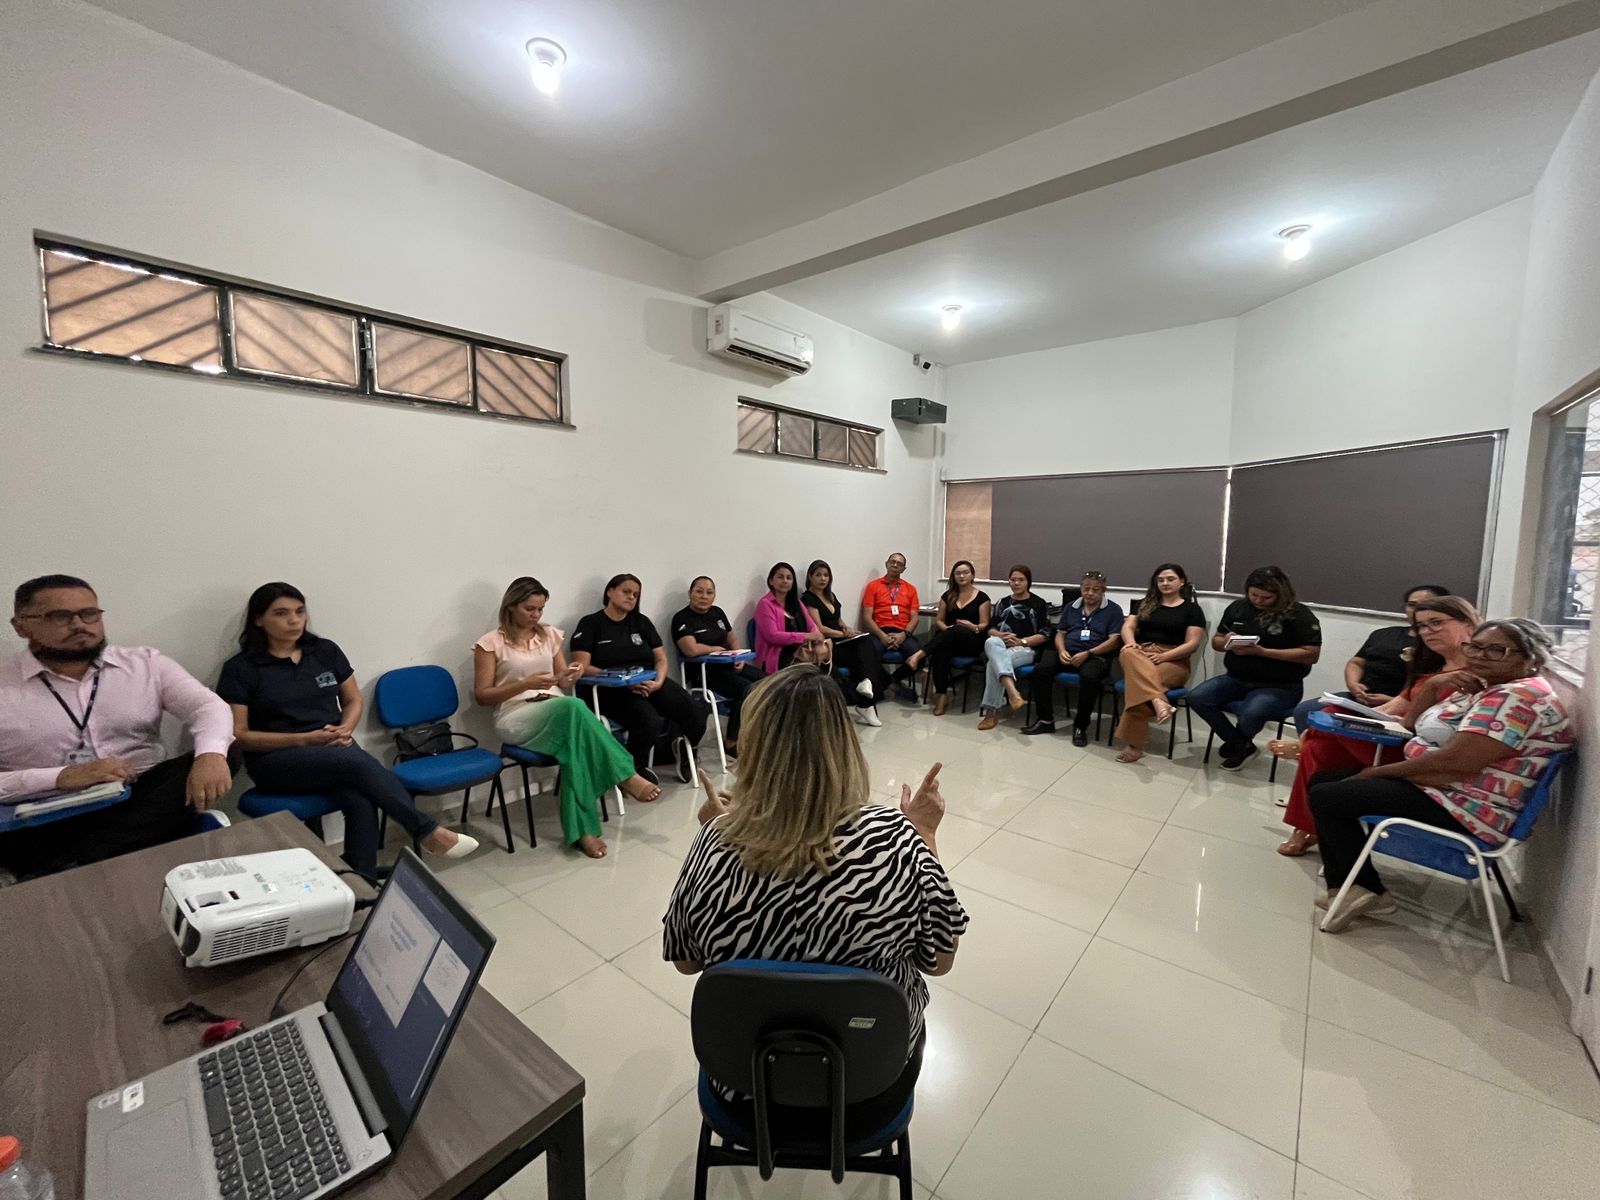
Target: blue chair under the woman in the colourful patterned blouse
[[1454, 854]]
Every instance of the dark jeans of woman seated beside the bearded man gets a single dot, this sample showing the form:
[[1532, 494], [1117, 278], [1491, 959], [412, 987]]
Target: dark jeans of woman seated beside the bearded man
[[358, 783]]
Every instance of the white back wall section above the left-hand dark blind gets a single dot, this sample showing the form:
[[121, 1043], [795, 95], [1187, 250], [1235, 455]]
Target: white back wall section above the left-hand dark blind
[[1050, 412]]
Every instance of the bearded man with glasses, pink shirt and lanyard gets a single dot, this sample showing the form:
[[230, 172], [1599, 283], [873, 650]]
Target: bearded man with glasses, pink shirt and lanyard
[[78, 713]]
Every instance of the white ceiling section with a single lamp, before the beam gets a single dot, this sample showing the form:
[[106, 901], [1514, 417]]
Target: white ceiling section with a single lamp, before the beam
[[705, 124]]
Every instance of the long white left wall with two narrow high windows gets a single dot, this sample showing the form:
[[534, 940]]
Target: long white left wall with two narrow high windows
[[178, 495]]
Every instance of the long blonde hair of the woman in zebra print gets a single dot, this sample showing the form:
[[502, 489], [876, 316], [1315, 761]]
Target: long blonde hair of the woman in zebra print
[[801, 775]]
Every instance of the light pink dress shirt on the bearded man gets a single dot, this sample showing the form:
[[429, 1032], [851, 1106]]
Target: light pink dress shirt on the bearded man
[[138, 686]]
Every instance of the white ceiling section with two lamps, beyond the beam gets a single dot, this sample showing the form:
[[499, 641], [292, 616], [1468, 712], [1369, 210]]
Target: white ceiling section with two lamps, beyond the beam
[[1198, 241]]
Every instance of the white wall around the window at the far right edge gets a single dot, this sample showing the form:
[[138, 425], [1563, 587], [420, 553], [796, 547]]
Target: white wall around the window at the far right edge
[[1561, 346]]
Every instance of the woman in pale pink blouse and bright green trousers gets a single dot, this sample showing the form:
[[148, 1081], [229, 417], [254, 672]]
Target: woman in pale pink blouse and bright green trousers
[[519, 668]]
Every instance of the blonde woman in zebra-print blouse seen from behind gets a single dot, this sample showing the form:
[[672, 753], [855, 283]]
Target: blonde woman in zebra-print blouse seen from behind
[[798, 865]]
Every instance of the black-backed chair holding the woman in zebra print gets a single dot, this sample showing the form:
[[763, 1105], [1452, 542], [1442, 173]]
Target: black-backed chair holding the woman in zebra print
[[820, 1052]]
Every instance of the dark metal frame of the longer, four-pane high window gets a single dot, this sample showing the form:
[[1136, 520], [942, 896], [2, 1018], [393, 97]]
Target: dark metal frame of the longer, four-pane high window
[[225, 287]]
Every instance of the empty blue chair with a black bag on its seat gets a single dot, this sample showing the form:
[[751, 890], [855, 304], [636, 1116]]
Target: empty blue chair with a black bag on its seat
[[414, 697]]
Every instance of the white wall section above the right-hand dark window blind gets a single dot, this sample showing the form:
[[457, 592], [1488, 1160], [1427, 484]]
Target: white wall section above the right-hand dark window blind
[[1412, 345]]
